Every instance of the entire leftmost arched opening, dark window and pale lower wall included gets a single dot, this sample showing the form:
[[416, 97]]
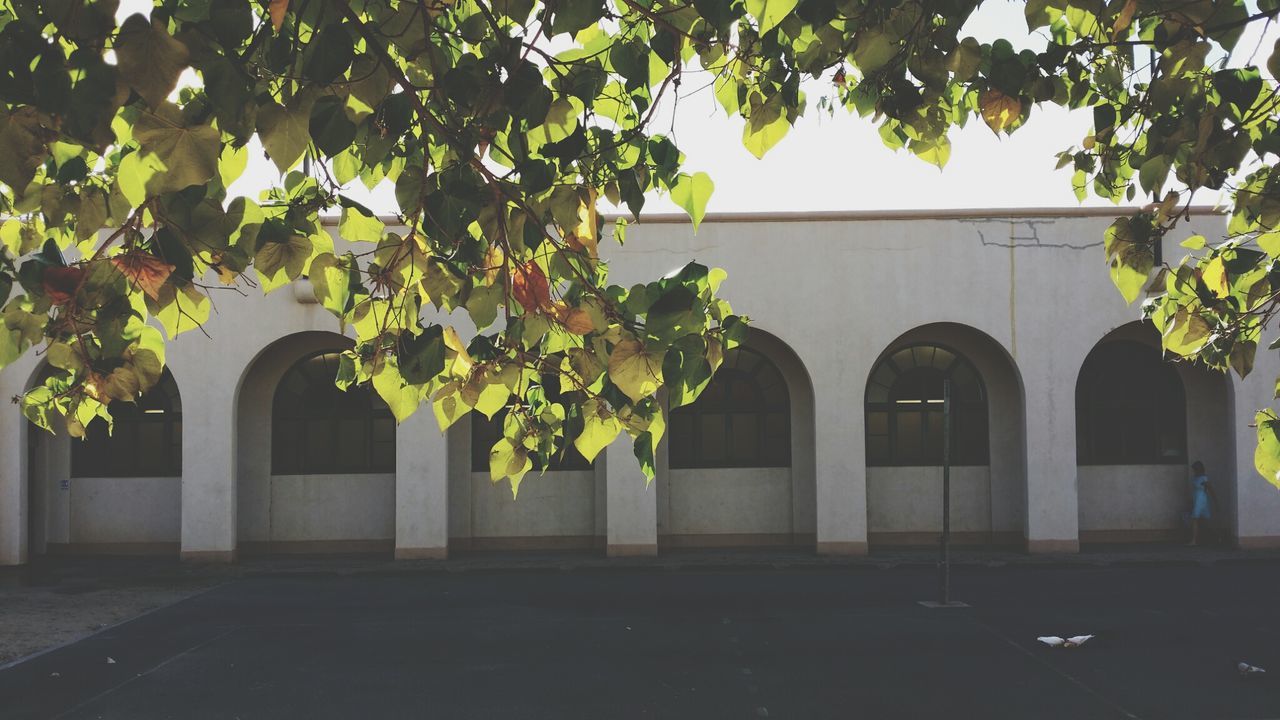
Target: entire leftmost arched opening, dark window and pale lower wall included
[[117, 491]]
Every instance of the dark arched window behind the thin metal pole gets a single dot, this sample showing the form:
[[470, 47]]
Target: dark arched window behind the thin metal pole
[[904, 409]]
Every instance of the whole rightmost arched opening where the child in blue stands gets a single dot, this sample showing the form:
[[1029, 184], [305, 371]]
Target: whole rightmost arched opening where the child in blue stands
[[1141, 420]]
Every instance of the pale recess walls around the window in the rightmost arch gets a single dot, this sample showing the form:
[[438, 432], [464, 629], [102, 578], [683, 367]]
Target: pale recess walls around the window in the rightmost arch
[[1145, 503]]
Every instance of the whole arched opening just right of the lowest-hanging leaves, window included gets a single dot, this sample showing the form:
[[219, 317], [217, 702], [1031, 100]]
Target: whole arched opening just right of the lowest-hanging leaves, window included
[[738, 466]]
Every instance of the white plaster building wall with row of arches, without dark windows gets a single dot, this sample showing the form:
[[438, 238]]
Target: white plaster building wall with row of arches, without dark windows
[[1025, 295]]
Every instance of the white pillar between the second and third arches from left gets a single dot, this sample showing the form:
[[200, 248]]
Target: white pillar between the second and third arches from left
[[422, 489]]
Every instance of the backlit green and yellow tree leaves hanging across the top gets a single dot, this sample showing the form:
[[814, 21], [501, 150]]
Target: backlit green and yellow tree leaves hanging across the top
[[504, 124]]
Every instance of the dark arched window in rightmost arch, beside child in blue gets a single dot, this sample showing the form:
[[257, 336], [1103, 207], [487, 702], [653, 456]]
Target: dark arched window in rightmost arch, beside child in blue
[[1131, 408]]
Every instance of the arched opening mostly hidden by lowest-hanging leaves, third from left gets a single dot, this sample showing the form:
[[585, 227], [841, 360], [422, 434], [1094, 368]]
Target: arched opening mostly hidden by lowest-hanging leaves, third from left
[[557, 509]]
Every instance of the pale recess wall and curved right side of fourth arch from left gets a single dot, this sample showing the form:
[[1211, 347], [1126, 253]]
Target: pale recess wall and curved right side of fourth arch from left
[[748, 507]]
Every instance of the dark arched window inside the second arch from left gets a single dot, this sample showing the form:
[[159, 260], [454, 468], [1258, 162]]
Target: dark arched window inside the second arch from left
[[318, 430]]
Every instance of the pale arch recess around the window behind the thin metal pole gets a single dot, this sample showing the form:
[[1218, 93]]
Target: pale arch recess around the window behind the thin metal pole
[[989, 503]]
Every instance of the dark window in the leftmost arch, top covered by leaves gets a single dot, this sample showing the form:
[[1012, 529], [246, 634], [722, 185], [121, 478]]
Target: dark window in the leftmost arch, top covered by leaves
[[145, 440]]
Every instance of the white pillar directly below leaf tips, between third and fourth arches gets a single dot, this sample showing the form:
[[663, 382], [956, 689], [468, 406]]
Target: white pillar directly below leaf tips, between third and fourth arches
[[630, 503]]
